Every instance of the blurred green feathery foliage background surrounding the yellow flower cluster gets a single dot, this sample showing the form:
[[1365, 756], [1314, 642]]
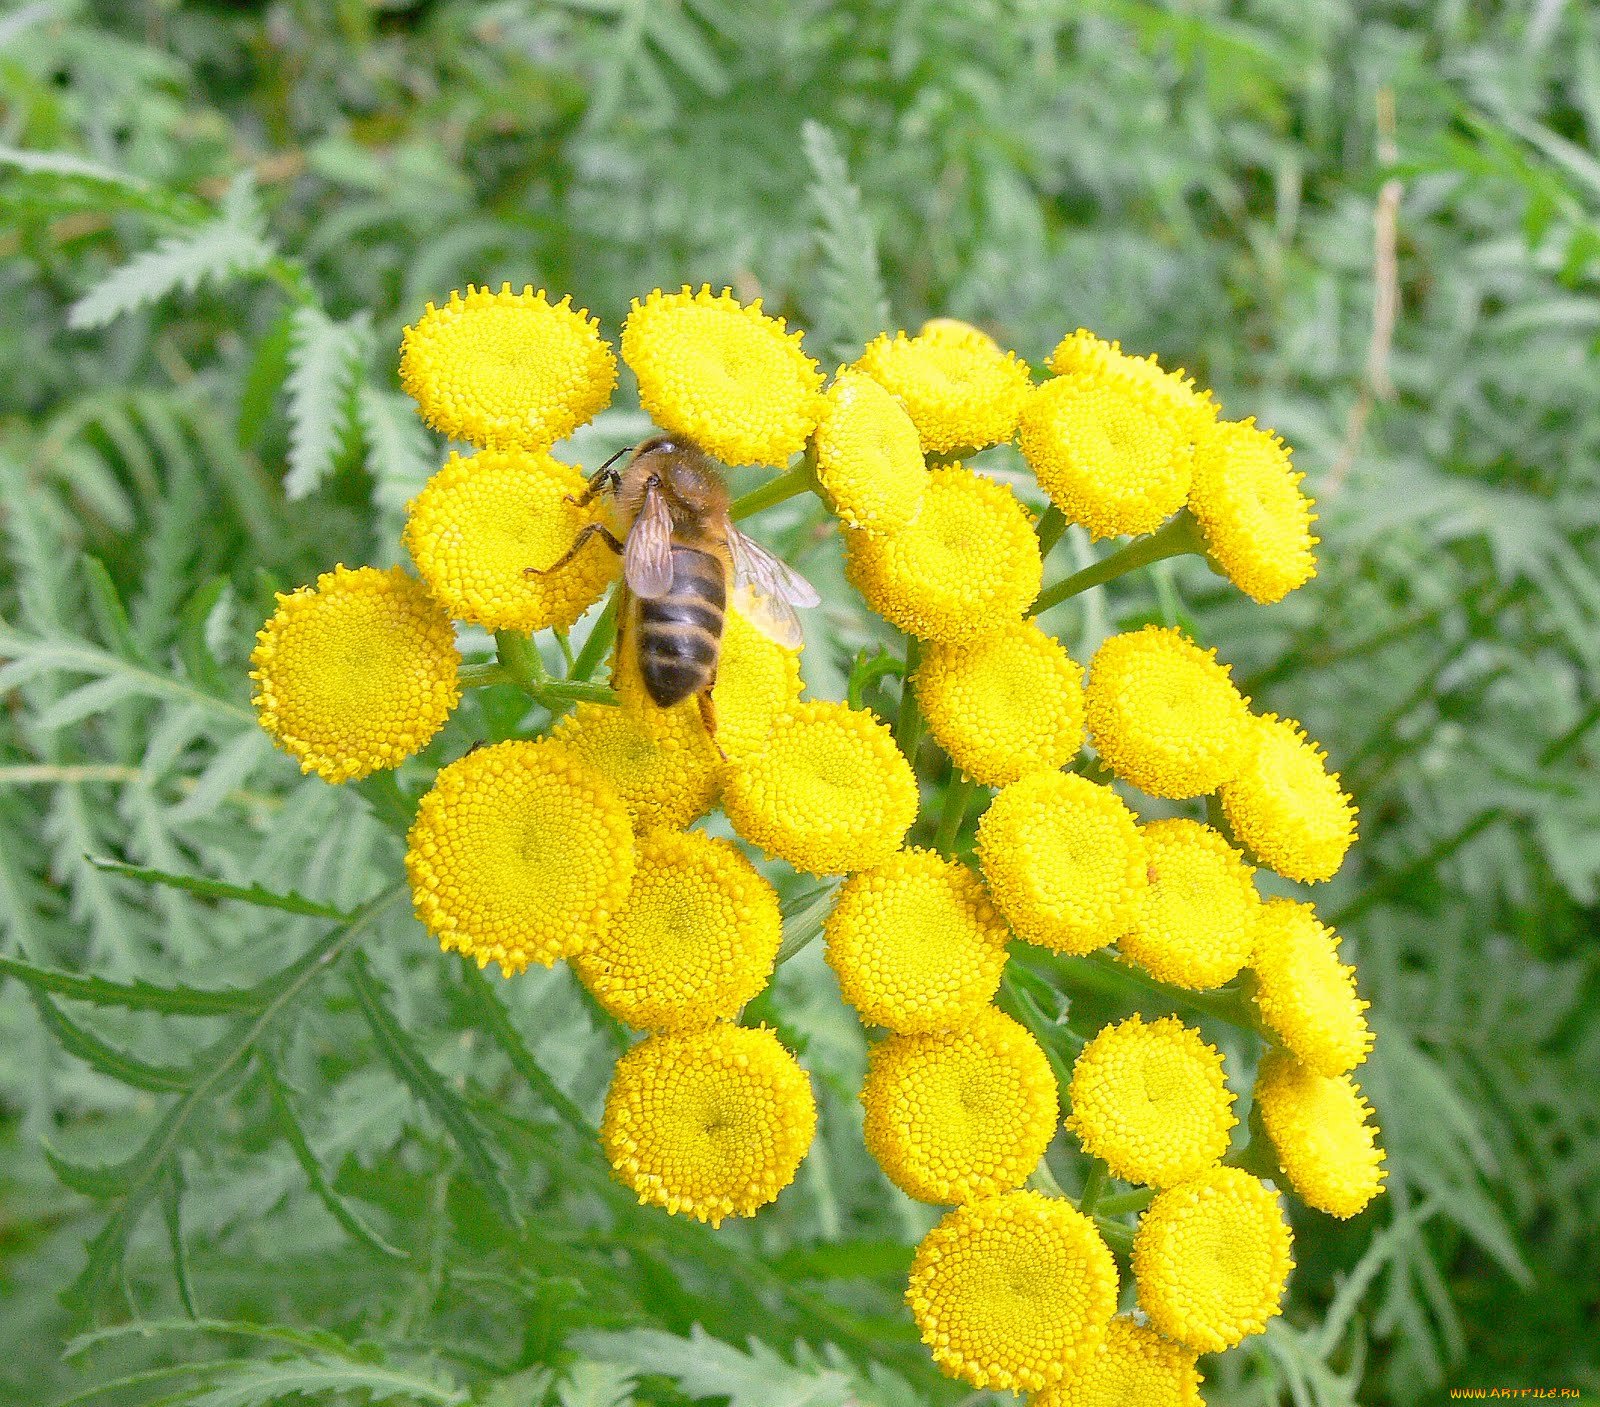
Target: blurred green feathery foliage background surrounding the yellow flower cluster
[[1374, 226]]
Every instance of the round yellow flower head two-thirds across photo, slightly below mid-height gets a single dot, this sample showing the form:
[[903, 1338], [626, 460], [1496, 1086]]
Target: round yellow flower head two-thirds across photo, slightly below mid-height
[[1063, 860]]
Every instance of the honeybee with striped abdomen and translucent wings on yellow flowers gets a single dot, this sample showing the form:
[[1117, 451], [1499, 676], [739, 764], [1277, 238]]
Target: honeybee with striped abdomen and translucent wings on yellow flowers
[[682, 561]]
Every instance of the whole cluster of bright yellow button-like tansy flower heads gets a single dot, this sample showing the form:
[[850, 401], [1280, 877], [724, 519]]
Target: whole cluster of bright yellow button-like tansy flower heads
[[1058, 824]]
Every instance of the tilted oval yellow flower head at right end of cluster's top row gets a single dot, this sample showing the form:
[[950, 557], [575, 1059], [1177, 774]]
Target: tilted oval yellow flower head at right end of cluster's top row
[[1250, 505]]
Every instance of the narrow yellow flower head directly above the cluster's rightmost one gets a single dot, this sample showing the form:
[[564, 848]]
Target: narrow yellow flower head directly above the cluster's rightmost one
[[1306, 996]]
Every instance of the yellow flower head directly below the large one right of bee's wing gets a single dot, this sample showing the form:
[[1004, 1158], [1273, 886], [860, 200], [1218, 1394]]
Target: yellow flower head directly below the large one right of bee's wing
[[1006, 703]]
